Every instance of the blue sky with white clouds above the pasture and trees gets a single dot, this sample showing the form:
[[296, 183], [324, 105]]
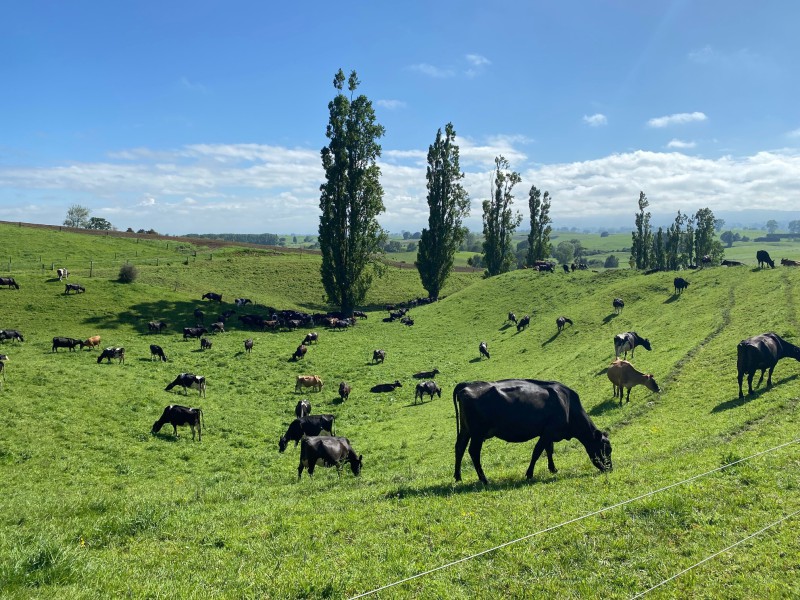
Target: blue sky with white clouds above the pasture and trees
[[209, 116]]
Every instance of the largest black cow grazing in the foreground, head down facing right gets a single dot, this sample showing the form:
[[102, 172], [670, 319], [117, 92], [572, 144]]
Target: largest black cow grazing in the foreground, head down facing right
[[518, 410]]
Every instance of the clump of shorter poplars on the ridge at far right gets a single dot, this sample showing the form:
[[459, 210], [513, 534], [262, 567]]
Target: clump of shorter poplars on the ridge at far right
[[684, 243]]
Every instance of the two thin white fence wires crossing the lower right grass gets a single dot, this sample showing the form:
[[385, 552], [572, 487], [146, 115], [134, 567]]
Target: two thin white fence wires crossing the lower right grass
[[592, 514]]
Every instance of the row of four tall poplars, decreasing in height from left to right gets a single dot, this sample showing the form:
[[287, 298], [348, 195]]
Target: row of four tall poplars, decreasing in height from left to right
[[350, 238]]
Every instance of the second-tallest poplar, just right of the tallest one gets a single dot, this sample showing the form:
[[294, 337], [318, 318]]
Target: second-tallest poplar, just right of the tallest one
[[448, 203]]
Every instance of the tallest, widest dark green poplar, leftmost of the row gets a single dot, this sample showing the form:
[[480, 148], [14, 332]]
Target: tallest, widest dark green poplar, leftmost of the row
[[350, 238]]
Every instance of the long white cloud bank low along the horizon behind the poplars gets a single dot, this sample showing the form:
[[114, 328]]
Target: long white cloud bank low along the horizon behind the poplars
[[257, 188]]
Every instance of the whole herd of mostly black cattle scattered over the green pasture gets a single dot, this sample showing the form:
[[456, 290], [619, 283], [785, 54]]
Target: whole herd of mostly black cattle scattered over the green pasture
[[514, 410]]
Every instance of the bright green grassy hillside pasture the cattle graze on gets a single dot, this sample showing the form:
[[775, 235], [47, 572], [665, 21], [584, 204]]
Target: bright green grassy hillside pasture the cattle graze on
[[94, 505]]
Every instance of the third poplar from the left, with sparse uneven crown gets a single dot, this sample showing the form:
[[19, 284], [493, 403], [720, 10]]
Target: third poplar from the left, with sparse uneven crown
[[499, 222]]
